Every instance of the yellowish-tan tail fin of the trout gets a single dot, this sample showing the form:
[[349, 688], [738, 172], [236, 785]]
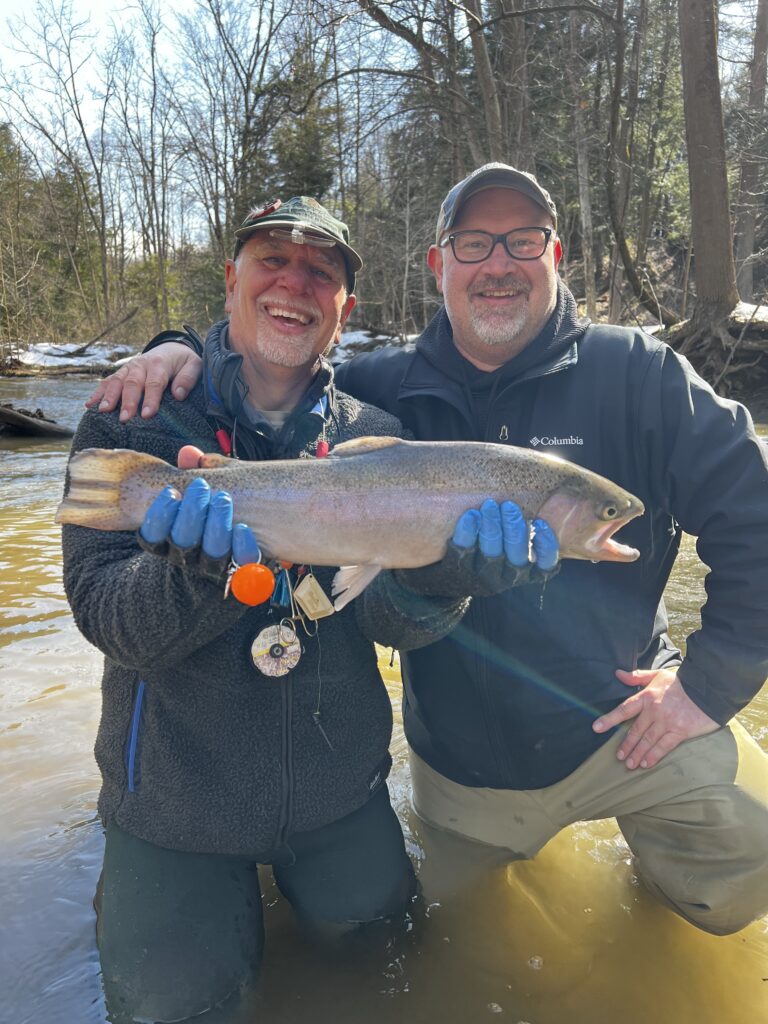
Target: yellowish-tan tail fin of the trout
[[96, 495]]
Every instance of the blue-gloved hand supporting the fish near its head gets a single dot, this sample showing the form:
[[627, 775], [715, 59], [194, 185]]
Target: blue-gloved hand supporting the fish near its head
[[488, 554]]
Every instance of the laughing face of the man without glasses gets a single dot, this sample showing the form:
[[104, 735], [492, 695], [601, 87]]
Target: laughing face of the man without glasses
[[287, 303]]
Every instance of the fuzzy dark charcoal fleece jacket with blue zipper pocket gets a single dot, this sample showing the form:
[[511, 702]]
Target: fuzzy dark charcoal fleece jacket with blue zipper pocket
[[198, 750]]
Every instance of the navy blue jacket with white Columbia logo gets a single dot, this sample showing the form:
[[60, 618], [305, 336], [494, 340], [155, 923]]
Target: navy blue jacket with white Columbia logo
[[508, 700]]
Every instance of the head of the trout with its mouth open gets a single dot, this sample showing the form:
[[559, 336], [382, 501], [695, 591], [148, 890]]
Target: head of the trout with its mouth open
[[586, 514]]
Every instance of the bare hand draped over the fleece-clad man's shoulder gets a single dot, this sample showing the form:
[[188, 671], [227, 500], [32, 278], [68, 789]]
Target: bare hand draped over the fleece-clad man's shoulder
[[150, 375]]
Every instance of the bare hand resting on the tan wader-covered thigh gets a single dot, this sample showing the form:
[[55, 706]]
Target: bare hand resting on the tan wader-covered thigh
[[665, 716]]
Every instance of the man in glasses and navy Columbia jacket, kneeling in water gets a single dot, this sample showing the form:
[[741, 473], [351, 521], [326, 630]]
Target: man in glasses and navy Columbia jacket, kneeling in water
[[571, 703]]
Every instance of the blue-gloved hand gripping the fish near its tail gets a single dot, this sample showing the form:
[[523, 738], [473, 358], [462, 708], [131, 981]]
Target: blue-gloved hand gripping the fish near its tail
[[196, 532]]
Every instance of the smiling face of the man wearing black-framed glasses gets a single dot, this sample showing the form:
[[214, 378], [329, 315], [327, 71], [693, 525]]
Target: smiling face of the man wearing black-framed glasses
[[497, 308]]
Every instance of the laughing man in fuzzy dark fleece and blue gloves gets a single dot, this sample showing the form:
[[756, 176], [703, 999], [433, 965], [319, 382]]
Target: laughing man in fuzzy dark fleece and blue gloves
[[233, 733]]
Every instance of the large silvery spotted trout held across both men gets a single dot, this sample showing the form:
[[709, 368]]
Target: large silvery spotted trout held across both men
[[374, 503]]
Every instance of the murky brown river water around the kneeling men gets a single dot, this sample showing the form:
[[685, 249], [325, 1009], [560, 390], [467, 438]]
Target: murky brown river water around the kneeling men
[[569, 937]]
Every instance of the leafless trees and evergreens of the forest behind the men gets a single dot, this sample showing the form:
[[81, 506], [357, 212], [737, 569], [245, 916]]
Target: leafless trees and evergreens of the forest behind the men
[[130, 154]]
